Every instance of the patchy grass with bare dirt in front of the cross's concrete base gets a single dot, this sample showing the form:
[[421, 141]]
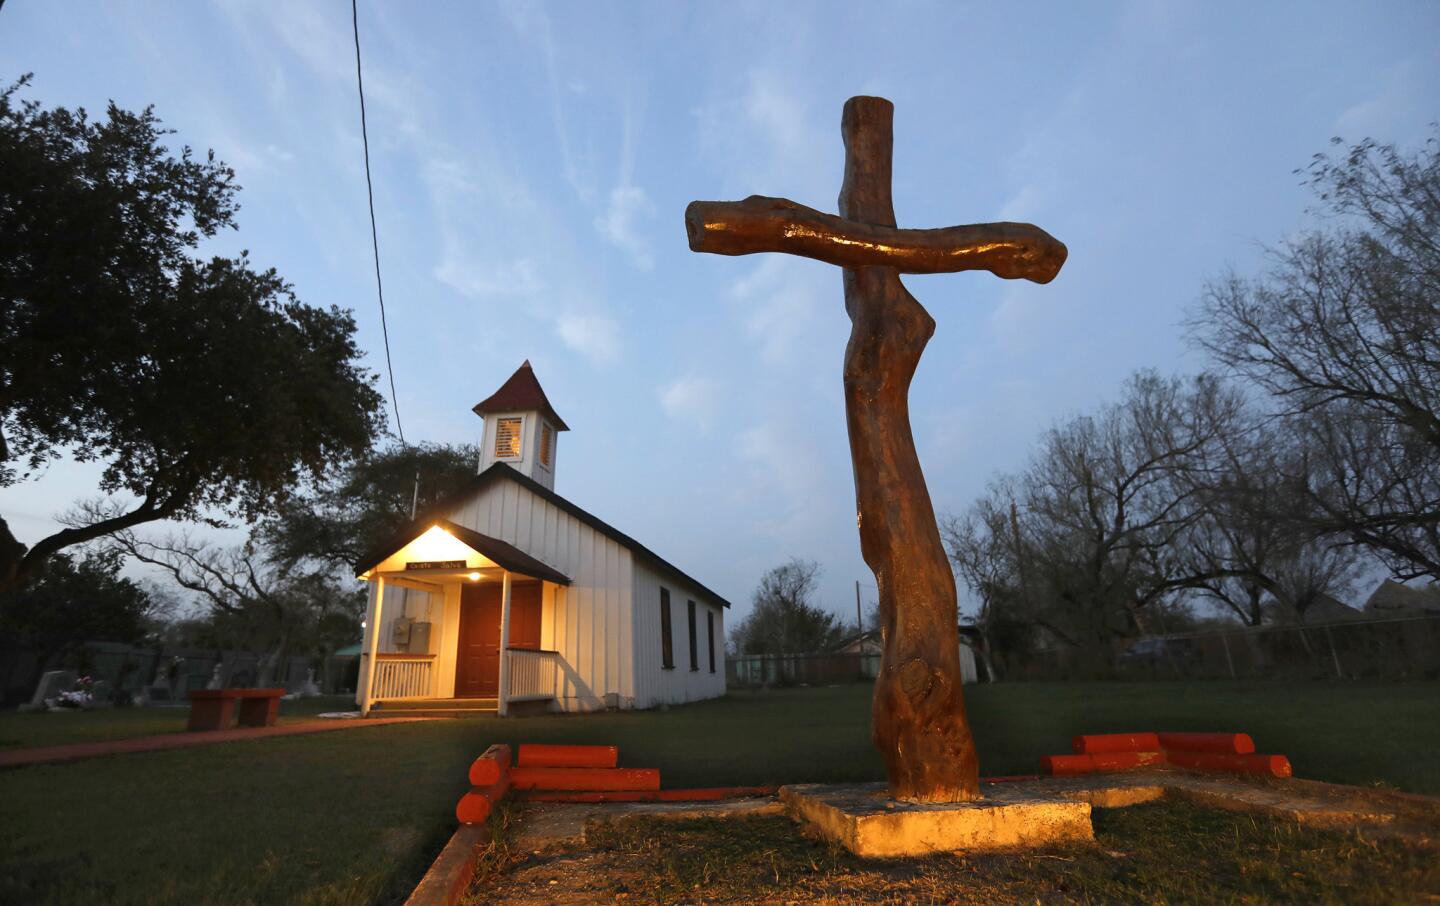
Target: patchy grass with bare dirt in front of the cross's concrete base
[[1166, 852]]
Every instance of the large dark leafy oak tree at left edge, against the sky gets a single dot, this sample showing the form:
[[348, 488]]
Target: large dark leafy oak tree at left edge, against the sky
[[201, 385]]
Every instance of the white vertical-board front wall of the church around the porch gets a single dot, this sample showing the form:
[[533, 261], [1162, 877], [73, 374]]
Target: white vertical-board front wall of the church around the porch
[[588, 622]]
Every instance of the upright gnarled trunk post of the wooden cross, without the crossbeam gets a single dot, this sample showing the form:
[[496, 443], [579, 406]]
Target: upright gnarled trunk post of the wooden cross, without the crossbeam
[[919, 712]]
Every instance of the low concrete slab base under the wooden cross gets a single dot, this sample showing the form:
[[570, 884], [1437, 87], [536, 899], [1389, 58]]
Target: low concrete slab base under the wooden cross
[[865, 820]]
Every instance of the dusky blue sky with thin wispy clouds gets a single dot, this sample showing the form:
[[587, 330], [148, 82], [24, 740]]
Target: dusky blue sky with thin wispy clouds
[[534, 162]]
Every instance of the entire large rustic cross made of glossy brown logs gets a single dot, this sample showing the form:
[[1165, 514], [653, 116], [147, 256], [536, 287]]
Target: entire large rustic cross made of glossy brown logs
[[919, 712]]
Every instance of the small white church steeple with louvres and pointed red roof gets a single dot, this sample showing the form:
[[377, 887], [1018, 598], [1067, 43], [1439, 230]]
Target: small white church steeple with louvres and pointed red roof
[[522, 429]]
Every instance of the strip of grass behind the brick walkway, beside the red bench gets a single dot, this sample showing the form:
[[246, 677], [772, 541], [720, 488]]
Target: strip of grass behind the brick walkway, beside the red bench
[[63, 728]]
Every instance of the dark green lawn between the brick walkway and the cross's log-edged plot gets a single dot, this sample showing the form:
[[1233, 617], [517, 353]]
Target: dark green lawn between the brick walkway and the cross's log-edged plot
[[356, 816]]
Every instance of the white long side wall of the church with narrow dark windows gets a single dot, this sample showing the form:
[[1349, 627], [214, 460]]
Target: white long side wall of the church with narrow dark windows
[[654, 685]]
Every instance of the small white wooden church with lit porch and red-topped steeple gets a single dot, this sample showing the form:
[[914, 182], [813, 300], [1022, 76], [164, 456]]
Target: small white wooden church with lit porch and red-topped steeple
[[509, 594]]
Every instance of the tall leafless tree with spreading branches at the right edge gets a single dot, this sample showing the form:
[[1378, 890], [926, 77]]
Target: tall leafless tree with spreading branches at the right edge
[[1344, 332]]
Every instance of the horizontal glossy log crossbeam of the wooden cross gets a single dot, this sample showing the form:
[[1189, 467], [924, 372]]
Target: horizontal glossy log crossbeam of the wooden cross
[[762, 224]]
